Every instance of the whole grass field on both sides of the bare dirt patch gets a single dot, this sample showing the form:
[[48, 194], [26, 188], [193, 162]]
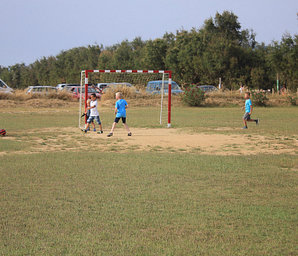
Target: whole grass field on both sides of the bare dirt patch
[[78, 200]]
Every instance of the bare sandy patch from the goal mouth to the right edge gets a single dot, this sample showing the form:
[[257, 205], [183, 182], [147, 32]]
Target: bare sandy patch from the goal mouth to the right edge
[[177, 140]]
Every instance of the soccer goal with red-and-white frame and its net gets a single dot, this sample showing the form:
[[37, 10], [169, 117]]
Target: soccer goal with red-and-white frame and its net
[[137, 80]]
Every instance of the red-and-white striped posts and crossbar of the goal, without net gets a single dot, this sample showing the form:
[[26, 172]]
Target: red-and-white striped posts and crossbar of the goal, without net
[[86, 73]]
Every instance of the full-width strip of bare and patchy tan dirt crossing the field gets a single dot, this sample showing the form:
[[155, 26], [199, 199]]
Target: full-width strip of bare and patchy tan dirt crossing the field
[[158, 140]]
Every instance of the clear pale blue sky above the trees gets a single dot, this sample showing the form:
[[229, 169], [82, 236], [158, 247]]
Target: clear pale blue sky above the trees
[[33, 29]]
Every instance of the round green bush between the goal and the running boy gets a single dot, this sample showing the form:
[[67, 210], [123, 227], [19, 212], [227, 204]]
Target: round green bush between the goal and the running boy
[[192, 96]]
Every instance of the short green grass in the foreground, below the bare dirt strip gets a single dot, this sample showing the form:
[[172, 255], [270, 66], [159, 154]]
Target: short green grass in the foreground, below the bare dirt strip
[[148, 204]]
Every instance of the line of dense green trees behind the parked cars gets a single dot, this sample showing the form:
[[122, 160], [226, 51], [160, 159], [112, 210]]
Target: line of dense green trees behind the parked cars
[[219, 49]]
